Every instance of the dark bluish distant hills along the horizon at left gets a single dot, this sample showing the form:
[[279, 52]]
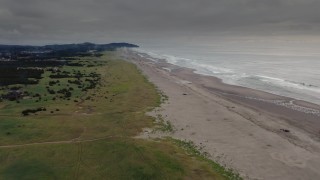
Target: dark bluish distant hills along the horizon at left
[[83, 47]]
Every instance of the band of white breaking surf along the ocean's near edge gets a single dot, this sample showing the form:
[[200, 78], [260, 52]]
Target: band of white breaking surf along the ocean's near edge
[[275, 85]]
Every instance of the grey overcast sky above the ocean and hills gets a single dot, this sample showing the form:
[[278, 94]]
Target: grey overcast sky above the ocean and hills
[[63, 21]]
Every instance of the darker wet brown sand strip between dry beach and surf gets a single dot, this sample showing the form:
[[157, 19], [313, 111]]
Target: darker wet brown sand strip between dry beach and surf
[[293, 109]]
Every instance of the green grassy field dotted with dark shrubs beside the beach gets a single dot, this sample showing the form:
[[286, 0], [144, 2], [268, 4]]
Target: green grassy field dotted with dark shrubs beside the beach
[[89, 135]]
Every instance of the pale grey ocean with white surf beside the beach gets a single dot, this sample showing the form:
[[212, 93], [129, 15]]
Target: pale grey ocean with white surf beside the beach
[[282, 68]]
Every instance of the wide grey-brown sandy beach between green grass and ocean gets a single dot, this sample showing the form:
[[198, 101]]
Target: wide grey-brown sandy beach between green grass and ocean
[[260, 135]]
